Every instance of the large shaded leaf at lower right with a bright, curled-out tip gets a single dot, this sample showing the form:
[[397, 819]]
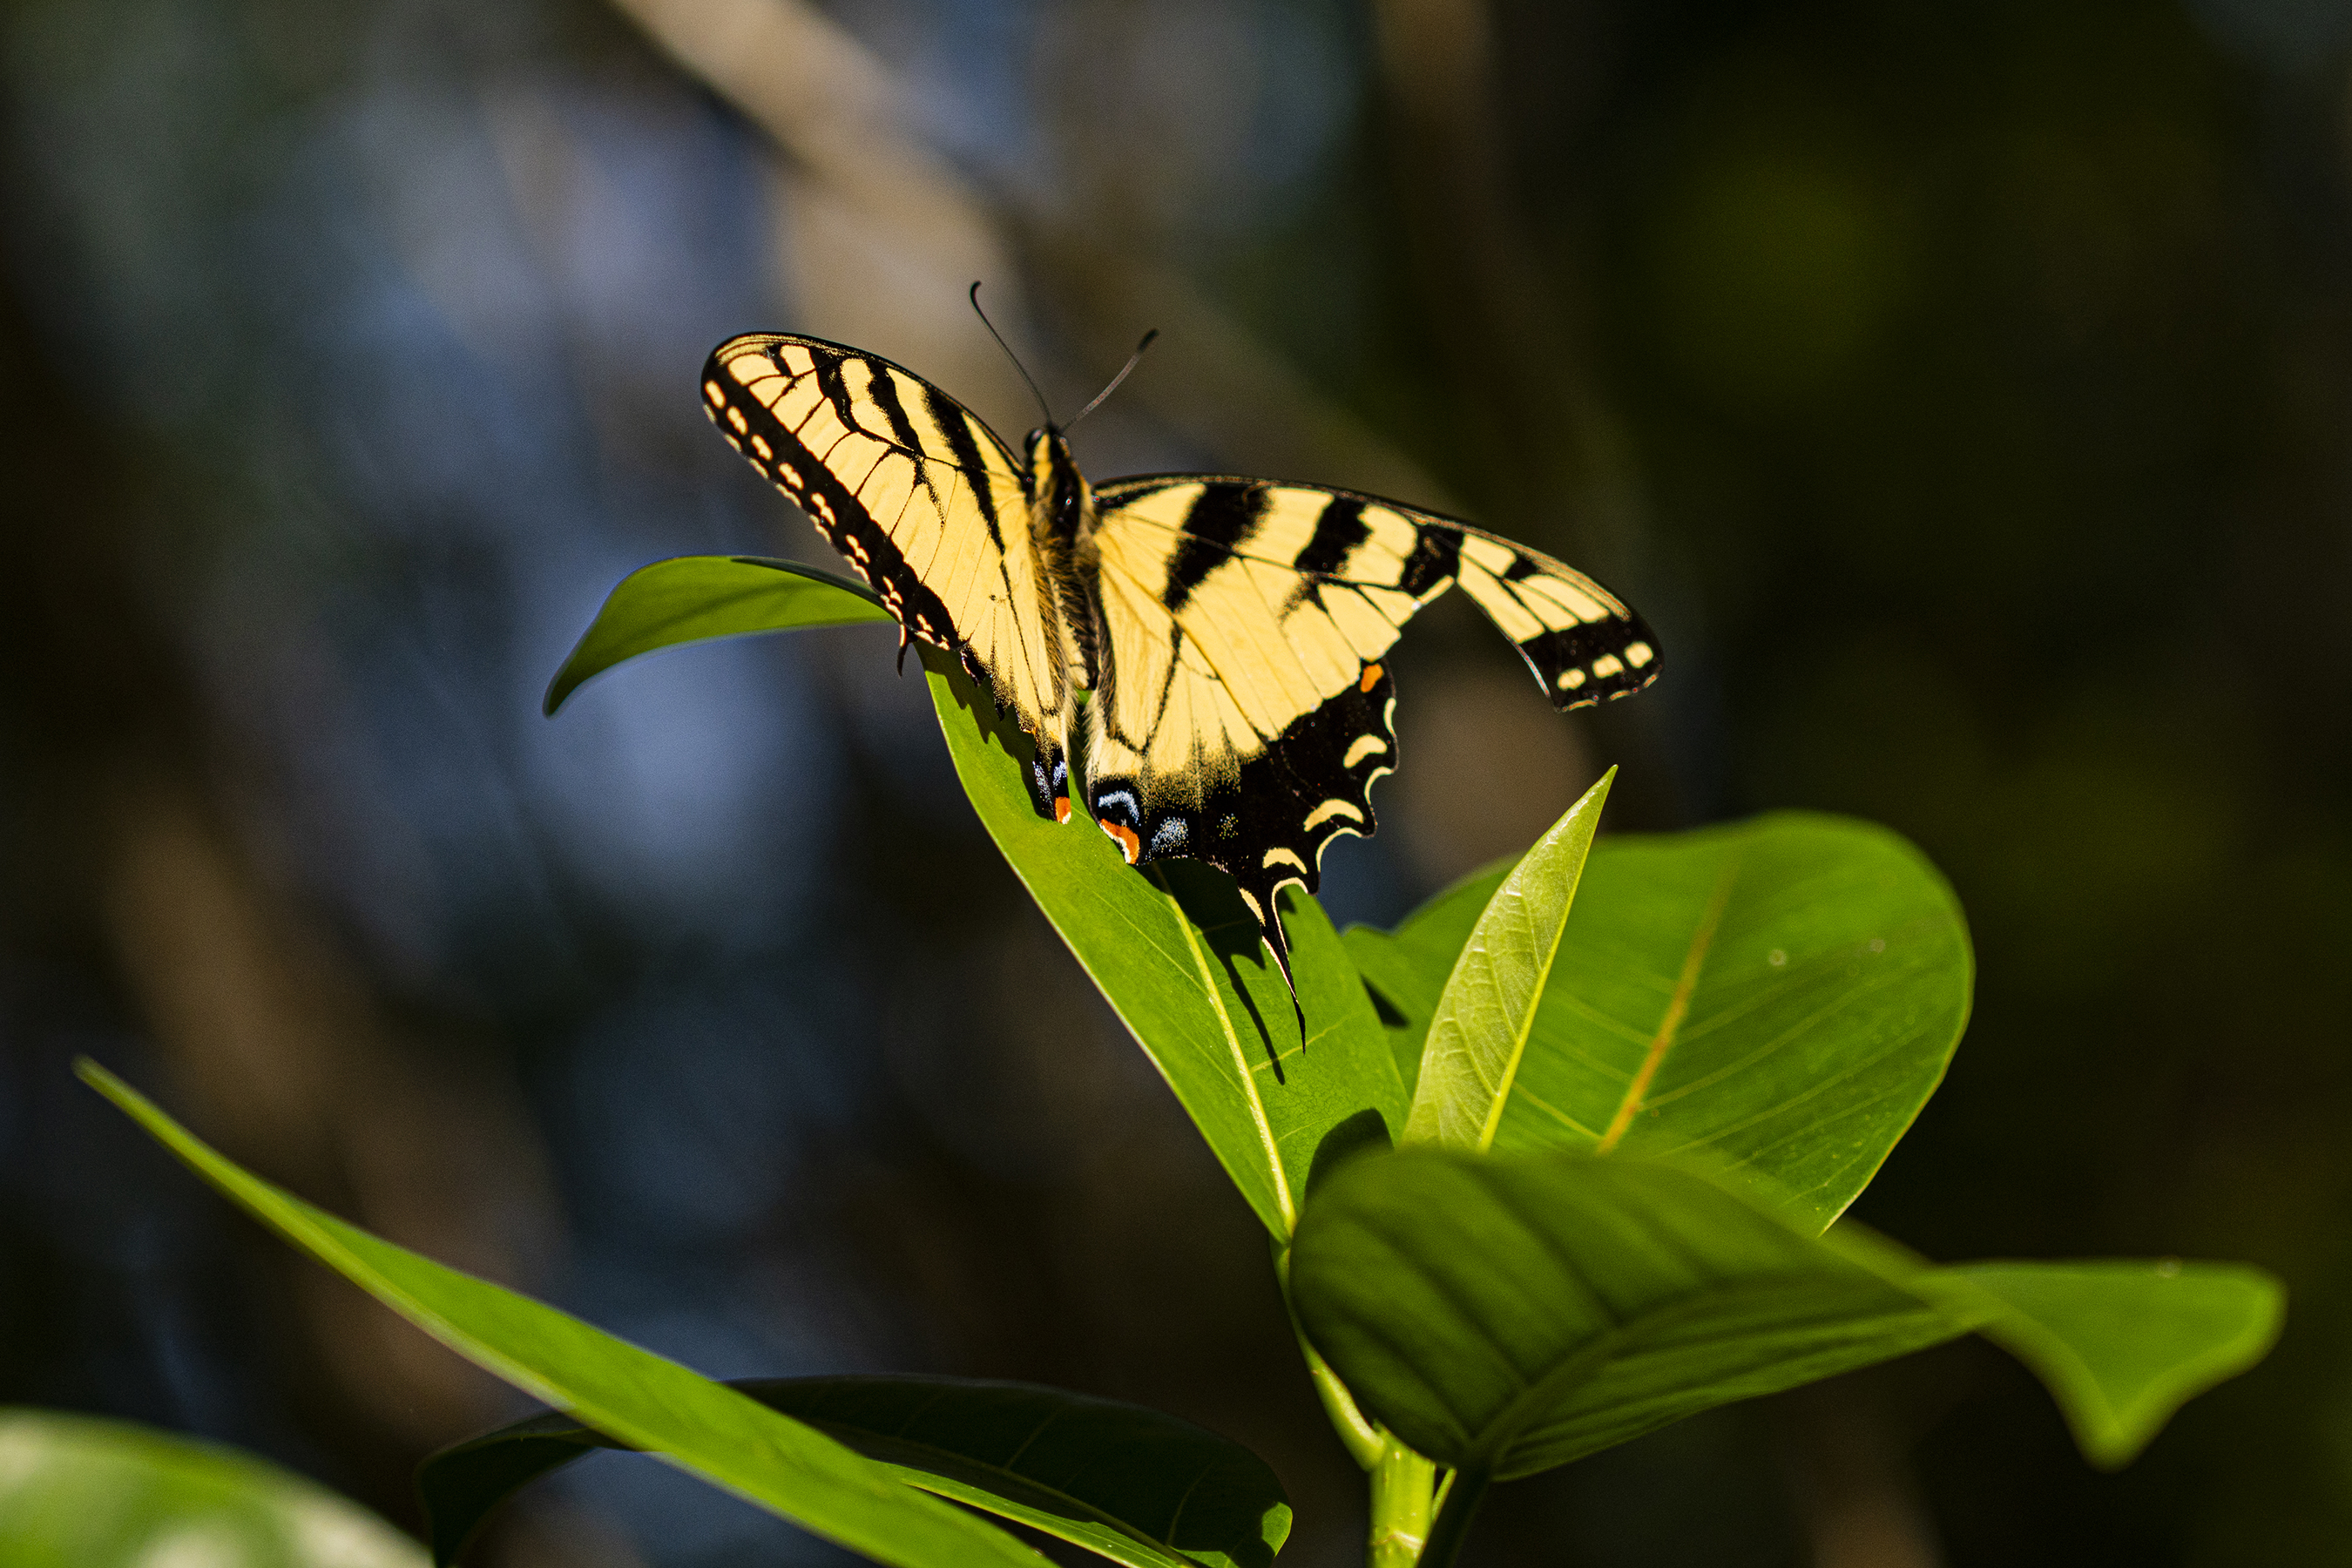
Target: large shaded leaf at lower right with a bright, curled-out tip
[[1516, 1313]]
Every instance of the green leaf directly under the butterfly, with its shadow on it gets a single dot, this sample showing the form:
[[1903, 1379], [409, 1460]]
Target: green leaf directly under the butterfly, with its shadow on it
[[1180, 958]]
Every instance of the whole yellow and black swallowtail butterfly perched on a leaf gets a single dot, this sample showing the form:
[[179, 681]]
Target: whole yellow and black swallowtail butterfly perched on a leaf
[[1231, 631]]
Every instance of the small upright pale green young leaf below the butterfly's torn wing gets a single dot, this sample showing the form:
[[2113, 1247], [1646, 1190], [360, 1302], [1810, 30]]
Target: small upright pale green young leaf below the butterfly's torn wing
[[1483, 1019]]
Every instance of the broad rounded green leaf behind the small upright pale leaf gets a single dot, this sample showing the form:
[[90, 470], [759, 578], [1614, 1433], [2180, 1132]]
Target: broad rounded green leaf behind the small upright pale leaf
[[1777, 996]]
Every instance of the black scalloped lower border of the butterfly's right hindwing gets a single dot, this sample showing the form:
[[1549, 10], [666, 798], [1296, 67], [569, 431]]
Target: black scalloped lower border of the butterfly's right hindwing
[[1271, 824]]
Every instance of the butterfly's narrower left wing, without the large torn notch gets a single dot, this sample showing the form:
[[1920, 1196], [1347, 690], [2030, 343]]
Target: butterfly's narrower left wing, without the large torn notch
[[928, 507]]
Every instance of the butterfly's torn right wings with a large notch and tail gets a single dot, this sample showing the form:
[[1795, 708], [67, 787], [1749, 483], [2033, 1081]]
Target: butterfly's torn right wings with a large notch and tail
[[1245, 706]]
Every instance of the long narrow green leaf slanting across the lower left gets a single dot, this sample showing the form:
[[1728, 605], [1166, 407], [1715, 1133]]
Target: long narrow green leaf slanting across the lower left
[[613, 1386]]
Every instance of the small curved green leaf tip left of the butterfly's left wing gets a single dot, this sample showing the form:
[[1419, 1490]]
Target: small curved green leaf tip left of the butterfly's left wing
[[697, 598]]
